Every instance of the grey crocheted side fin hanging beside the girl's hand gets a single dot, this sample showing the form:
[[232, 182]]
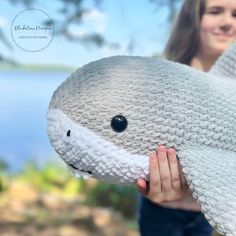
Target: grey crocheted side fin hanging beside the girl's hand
[[211, 175]]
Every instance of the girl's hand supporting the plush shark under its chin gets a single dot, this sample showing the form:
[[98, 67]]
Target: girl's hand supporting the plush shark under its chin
[[166, 181]]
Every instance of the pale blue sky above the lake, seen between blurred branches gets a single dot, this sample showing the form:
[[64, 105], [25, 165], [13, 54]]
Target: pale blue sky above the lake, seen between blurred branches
[[118, 21]]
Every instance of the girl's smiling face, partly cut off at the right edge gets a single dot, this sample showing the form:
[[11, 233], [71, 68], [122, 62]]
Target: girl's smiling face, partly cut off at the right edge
[[218, 26]]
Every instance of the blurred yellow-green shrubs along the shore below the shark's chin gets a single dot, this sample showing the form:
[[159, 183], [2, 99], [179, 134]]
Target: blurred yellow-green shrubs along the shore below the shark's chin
[[56, 179]]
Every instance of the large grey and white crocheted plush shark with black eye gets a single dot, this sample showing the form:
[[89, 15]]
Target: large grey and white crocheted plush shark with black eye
[[107, 116]]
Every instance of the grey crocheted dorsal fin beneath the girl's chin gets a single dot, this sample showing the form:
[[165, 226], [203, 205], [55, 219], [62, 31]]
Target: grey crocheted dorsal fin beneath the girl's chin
[[225, 66]]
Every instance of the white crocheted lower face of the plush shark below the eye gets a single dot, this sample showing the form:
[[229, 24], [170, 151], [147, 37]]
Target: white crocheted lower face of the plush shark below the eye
[[105, 160]]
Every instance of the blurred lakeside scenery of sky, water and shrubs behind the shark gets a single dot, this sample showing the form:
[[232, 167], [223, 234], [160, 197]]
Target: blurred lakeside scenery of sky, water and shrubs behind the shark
[[38, 195]]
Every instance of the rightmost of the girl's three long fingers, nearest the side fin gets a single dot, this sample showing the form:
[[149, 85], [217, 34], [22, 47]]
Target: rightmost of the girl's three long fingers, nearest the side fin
[[174, 169]]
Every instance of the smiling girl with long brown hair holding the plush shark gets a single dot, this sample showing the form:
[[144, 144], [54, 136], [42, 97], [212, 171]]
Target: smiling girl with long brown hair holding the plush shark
[[204, 29]]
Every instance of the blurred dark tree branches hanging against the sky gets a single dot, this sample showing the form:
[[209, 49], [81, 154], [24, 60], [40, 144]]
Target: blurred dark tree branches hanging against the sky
[[71, 13]]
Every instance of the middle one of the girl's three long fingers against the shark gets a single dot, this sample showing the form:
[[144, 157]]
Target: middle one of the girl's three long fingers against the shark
[[165, 175]]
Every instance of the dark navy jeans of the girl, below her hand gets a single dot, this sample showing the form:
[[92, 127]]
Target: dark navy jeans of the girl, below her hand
[[155, 220]]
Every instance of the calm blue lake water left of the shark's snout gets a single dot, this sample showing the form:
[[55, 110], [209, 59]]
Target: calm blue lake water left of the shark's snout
[[24, 99]]
